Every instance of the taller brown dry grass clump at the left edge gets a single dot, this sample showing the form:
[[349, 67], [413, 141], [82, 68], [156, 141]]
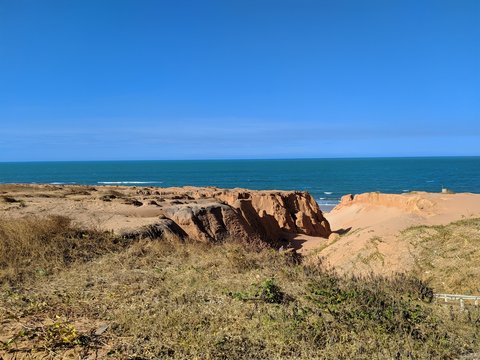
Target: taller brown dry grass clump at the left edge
[[32, 247]]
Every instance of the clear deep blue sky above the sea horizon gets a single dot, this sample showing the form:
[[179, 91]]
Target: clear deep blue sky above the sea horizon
[[99, 79]]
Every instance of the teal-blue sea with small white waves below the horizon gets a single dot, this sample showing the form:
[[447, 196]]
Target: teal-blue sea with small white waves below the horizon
[[326, 179]]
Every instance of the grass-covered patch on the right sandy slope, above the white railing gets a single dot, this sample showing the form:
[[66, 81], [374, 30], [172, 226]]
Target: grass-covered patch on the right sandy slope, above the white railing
[[448, 256]]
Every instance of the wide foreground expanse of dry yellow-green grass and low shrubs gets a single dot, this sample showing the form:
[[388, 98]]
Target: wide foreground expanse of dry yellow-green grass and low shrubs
[[70, 293]]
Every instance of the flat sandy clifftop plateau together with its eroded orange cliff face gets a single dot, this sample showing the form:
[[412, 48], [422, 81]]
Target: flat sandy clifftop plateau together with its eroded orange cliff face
[[205, 214]]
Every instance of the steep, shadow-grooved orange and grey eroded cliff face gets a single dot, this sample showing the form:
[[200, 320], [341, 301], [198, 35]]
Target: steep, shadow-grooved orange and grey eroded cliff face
[[248, 214]]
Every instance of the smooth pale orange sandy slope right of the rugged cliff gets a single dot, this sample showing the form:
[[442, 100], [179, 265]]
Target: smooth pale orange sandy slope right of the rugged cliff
[[368, 227]]
